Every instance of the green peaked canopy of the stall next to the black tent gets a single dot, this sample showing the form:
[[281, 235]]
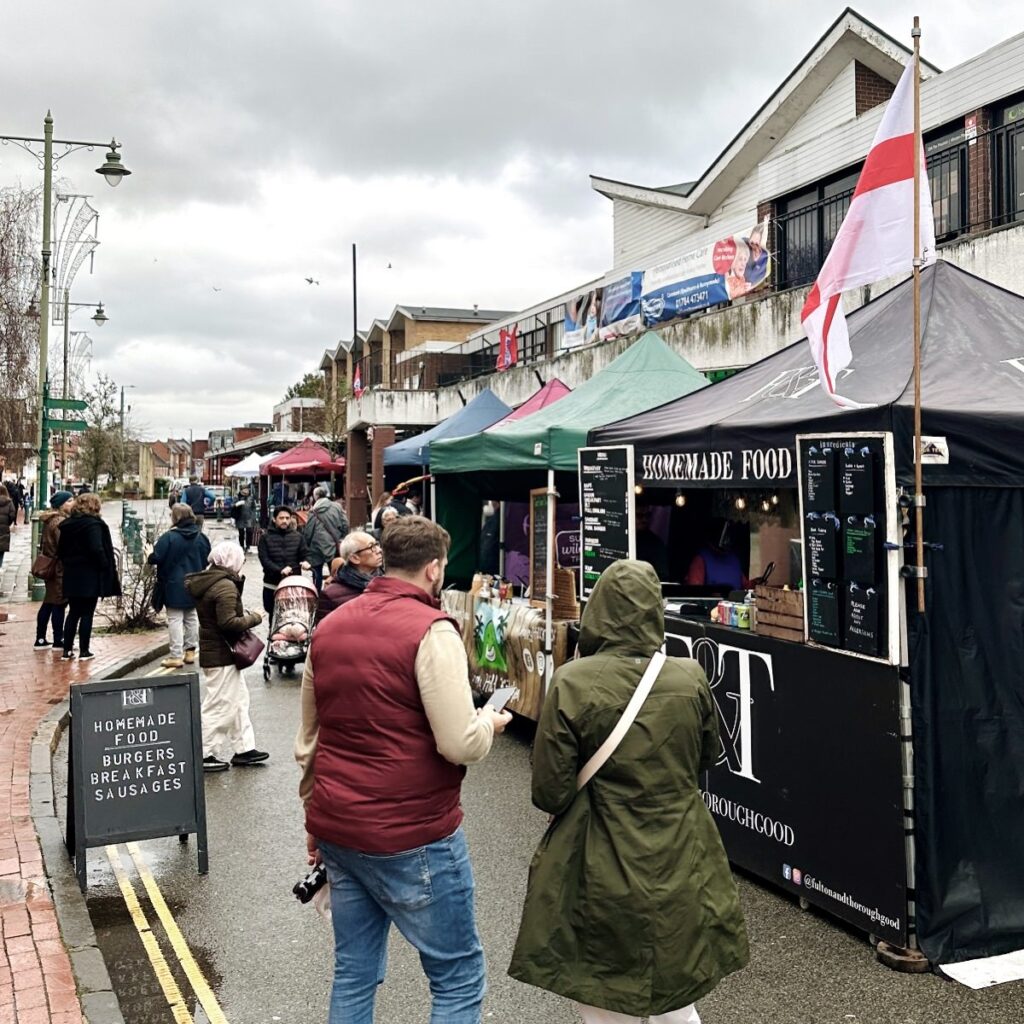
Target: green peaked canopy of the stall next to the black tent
[[509, 459]]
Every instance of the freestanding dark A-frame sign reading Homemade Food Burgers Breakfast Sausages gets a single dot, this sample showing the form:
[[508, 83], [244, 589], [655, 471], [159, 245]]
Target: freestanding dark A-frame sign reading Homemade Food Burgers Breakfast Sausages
[[136, 763]]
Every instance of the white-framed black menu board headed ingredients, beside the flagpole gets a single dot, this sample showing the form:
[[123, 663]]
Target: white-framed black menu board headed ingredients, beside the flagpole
[[847, 568]]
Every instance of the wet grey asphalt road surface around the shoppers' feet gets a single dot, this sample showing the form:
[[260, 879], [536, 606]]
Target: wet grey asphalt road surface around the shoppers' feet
[[269, 959]]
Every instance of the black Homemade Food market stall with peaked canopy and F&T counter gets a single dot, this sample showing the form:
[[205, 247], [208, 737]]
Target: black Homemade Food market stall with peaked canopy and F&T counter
[[819, 736]]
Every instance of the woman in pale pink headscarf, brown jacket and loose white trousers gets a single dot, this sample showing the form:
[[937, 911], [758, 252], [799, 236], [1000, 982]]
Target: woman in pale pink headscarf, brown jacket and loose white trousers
[[228, 730]]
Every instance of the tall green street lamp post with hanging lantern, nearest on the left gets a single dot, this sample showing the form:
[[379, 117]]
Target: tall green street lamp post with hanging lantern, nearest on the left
[[113, 173]]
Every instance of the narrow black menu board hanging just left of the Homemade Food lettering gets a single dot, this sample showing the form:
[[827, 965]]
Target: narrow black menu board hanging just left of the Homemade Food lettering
[[607, 511]]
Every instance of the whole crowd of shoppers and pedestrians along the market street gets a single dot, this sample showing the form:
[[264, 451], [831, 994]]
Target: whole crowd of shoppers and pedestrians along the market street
[[631, 909]]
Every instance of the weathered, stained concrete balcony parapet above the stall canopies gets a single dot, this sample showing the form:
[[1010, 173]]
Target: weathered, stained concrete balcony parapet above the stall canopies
[[730, 338]]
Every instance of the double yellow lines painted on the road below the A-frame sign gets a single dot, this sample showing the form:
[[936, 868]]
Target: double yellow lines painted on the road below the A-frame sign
[[194, 973]]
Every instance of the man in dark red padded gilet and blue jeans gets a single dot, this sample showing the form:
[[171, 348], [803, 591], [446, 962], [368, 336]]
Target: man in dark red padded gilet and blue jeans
[[389, 724]]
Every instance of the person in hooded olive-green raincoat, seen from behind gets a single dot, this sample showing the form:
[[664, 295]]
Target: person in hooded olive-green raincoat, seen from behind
[[631, 909]]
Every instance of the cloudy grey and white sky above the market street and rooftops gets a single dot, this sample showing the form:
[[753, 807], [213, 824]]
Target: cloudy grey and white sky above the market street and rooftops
[[451, 139]]
